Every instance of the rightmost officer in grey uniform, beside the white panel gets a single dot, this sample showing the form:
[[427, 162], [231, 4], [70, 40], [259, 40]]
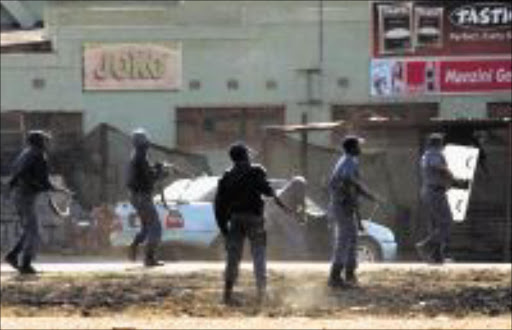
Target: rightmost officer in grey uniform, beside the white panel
[[436, 180]]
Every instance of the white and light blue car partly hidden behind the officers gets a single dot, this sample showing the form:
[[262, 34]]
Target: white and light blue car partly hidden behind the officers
[[188, 220]]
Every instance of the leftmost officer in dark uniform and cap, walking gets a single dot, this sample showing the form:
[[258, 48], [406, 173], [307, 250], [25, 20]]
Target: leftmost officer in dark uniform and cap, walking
[[30, 177]]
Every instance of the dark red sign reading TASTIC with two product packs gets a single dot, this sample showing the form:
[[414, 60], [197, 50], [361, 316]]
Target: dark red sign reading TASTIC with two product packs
[[441, 28]]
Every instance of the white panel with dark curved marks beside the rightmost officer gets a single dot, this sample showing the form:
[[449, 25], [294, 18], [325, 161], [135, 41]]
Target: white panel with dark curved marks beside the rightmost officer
[[462, 161]]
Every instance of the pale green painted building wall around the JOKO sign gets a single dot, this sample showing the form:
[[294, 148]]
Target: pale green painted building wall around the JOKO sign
[[251, 41]]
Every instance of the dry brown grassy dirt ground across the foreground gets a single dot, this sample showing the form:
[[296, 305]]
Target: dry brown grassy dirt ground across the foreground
[[401, 298]]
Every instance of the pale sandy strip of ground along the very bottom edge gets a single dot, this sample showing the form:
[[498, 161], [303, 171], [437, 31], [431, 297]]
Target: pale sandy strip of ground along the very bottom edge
[[368, 322]]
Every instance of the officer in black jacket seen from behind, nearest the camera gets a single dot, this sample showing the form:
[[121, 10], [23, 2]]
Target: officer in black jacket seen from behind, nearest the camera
[[239, 213]]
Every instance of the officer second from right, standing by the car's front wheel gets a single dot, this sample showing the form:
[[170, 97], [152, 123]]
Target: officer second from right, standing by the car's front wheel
[[345, 188]]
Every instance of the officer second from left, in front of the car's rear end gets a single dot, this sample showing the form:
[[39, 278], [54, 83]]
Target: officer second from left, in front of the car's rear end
[[142, 177]]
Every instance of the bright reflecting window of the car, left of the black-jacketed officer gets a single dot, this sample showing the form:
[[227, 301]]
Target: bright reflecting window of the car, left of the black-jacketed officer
[[200, 189]]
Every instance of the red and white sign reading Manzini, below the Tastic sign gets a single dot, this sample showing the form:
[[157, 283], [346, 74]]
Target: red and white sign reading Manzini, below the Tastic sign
[[409, 77]]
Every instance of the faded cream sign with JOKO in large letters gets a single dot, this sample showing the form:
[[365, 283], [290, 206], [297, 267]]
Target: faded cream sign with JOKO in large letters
[[131, 66]]
